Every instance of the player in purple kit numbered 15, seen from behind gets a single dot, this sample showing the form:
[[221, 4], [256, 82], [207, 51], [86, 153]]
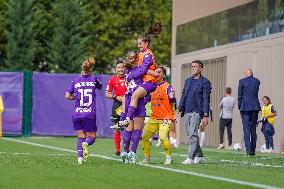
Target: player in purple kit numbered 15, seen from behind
[[82, 90]]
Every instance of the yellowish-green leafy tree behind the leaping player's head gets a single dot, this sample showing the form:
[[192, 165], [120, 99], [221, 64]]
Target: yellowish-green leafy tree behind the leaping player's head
[[115, 25]]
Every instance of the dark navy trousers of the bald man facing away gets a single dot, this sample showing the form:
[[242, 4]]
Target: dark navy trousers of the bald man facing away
[[249, 120]]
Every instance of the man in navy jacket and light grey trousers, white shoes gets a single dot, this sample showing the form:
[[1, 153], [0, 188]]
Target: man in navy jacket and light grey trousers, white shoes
[[194, 105]]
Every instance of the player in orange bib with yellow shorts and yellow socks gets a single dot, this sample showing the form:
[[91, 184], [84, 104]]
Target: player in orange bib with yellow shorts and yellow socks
[[162, 117]]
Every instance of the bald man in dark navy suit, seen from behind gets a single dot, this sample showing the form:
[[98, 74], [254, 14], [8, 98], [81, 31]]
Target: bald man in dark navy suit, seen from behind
[[249, 107]]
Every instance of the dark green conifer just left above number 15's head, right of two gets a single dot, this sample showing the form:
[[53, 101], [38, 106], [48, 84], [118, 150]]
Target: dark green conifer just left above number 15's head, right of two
[[67, 47]]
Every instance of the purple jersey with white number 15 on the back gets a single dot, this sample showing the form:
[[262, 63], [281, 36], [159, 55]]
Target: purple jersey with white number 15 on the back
[[83, 89]]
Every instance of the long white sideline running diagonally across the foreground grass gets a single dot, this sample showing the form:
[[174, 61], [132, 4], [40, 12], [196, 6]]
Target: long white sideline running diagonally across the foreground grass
[[157, 167]]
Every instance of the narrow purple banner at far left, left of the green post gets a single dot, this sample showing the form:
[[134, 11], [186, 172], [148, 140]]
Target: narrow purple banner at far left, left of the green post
[[11, 90]]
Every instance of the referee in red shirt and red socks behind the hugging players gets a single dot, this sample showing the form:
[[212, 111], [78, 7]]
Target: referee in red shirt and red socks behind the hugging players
[[117, 85]]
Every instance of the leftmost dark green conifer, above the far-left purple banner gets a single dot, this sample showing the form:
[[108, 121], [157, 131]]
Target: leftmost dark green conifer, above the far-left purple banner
[[20, 37]]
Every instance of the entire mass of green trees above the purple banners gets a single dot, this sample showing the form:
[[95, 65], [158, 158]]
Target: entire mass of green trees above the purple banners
[[49, 35]]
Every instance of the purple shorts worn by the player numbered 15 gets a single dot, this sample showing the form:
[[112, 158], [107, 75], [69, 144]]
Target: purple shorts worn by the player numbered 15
[[85, 124]]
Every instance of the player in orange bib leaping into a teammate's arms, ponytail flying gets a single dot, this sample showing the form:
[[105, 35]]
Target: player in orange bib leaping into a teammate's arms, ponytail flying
[[146, 68]]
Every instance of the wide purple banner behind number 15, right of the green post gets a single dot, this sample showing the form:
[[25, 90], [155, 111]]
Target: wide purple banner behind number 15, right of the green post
[[52, 113]]
